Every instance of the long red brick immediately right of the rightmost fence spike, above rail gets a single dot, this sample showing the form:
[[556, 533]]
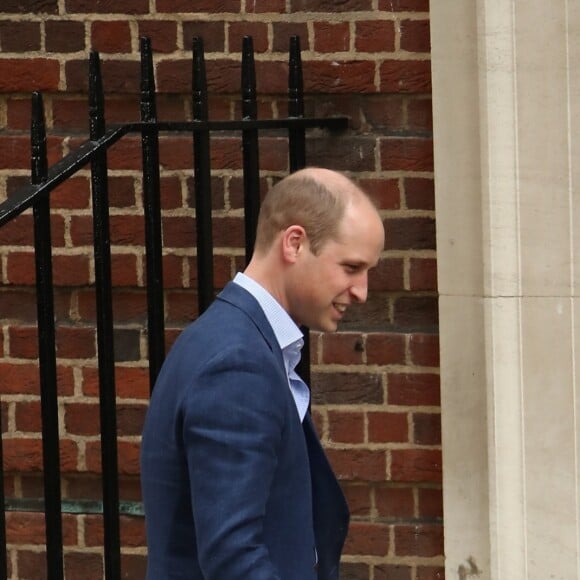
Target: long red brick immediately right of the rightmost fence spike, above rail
[[339, 76]]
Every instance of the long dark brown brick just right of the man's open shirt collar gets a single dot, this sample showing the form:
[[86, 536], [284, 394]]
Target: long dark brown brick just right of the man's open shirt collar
[[346, 388]]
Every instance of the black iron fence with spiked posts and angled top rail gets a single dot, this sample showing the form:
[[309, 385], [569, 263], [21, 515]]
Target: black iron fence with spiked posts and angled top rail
[[93, 152]]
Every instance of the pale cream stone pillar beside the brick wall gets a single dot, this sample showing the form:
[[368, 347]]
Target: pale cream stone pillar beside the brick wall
[[506, 100]]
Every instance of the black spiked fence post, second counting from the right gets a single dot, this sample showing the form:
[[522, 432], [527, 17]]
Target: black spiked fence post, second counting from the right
[[250, 146]]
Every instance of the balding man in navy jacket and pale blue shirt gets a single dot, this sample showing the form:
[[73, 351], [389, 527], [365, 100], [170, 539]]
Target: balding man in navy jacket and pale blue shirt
[[235, 483]]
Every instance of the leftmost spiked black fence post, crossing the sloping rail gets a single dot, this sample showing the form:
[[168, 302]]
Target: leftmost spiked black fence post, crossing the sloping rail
[[46, 348]]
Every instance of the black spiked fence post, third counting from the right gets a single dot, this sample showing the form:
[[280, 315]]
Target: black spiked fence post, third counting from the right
[[202, 179]]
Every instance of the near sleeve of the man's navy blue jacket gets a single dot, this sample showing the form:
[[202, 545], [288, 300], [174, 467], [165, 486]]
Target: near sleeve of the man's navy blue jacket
[[232, 425]]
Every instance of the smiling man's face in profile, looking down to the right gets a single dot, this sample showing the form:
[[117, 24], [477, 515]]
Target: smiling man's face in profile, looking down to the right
[[324, 285]]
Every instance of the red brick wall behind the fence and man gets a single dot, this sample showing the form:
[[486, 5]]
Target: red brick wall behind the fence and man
[[375, 383]]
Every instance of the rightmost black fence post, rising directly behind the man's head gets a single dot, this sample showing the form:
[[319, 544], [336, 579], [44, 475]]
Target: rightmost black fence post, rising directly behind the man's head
[[297, 152]]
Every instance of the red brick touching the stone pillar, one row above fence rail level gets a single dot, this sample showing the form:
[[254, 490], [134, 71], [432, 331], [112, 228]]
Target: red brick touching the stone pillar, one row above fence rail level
[[405, 76]]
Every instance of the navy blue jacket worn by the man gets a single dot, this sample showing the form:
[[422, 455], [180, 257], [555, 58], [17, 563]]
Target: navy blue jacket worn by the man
[[235, 487]]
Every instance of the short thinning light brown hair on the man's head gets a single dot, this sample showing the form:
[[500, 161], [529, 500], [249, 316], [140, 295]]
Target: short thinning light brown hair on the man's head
[[304, 198]]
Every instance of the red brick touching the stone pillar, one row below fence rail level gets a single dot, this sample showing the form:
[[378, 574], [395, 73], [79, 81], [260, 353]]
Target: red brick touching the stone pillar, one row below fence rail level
[[406, 154]]
